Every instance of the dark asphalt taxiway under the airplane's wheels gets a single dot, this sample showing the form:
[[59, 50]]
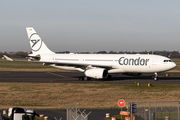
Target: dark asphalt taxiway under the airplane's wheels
[[72, 77]]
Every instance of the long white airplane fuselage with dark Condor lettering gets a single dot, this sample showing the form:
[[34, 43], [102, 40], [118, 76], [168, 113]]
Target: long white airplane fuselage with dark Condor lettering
[[117, 63]]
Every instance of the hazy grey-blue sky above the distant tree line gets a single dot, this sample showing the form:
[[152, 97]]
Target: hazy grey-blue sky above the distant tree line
[[91, 25]]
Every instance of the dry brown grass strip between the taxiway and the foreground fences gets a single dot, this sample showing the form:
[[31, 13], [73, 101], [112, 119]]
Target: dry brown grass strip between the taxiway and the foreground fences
[[93, 96]]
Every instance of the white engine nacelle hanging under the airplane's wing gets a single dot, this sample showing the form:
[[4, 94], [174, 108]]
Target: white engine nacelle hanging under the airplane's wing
[[98, 73]]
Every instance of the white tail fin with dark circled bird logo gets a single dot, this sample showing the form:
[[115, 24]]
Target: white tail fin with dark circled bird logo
[[37, 45]]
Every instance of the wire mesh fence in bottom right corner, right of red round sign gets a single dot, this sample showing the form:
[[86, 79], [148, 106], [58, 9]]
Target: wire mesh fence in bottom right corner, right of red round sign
[[154, 110]]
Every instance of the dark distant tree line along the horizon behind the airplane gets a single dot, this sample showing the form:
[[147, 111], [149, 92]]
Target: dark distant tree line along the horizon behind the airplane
[[171, 54]]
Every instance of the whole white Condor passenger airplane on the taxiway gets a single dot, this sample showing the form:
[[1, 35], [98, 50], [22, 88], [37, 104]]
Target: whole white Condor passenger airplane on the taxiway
[[98, 66]]
